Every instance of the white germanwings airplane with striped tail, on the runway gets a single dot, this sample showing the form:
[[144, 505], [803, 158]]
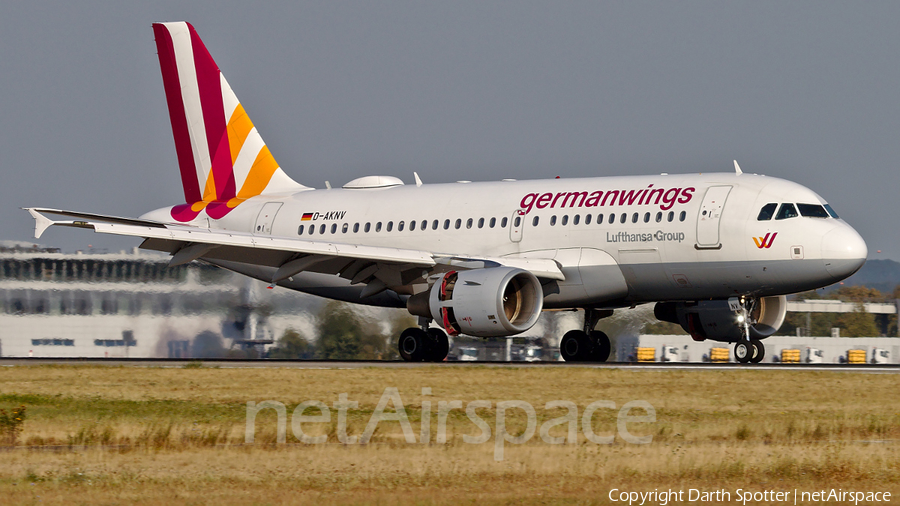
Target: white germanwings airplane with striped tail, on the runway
[[716, 253]]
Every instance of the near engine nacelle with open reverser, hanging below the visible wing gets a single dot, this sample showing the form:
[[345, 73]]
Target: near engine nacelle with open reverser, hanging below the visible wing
[[490, 302]]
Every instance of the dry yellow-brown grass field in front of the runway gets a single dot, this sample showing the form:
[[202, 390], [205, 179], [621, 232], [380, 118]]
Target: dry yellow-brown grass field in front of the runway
[[153, 436]]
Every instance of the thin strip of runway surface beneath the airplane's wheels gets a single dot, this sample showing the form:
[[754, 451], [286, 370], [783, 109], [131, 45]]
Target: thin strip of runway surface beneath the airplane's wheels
[[355, 364]]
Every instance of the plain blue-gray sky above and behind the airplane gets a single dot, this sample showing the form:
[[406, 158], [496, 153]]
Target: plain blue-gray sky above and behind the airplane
[[477, 90]]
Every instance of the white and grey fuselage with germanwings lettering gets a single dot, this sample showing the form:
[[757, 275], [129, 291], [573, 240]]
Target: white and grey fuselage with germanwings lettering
[[618, 240]]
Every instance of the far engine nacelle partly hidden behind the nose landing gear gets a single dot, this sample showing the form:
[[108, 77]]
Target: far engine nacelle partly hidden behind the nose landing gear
[[714, 319]]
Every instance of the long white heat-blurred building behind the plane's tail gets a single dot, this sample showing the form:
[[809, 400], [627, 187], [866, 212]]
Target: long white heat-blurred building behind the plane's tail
[[129, 305]]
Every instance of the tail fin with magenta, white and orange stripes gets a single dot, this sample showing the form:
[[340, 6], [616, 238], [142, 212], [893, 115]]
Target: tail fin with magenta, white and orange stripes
[[222, 158]]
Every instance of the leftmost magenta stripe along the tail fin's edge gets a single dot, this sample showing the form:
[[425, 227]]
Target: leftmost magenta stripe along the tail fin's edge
[[172, 85]]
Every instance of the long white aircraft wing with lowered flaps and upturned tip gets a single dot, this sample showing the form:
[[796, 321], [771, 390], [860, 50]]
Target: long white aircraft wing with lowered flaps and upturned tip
[[378, 266]]
